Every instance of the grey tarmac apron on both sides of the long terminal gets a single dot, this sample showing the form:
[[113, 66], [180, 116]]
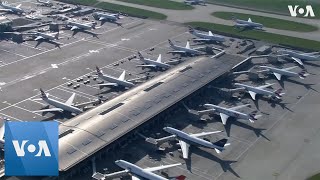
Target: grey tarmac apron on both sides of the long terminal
[[282, 144]]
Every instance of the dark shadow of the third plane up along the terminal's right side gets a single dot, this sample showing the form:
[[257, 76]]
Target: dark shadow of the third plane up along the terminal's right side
[[232, 121]]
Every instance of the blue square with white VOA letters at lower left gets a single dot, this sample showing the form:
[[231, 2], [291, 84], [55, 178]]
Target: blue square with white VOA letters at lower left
[[31, 148]]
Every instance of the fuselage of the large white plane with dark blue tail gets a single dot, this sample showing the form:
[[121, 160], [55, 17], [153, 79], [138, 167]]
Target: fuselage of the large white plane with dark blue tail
[[191, 140]]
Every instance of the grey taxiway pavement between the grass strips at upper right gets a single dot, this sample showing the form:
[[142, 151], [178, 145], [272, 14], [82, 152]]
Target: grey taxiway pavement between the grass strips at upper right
[[202, 13]]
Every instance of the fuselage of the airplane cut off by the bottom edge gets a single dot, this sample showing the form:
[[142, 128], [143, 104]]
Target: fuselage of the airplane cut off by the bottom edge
[[136, 170]]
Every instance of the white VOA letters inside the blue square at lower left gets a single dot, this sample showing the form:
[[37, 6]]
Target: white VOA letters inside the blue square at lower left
[[42, 148]]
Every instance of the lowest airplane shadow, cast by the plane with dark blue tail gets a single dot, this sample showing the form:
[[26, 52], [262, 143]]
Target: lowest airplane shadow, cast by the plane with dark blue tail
[[225, 164]]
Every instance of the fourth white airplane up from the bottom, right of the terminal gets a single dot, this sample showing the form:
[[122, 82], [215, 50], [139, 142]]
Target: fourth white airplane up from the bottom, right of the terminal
[[253, 91]]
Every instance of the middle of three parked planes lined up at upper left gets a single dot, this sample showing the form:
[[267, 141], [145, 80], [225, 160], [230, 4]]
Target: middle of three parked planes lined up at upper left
[[81, 26]]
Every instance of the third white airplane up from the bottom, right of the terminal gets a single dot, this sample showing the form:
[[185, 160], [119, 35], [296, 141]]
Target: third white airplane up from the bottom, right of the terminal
[[225, 113]]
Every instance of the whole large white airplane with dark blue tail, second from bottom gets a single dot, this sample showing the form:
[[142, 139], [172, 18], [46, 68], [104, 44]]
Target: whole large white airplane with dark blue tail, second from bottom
[[185, 140]]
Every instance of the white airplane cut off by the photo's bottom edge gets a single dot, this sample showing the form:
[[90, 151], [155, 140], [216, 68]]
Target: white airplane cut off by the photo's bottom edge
[[137, 172]]
